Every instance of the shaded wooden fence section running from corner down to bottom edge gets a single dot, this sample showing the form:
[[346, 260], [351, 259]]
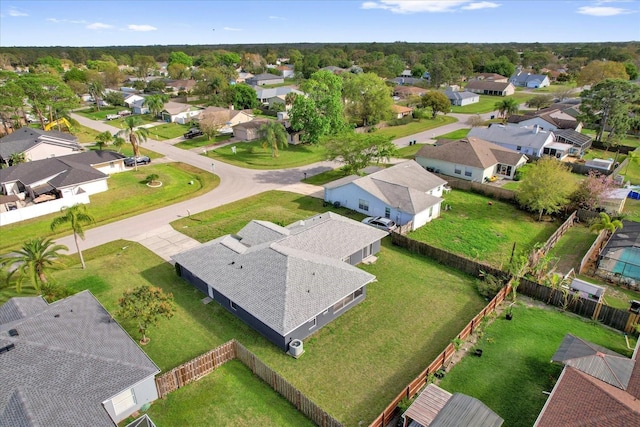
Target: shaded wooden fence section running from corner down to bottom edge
[[285, 389]]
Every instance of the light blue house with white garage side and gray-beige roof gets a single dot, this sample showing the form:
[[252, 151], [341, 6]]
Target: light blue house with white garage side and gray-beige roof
[[405, 192]]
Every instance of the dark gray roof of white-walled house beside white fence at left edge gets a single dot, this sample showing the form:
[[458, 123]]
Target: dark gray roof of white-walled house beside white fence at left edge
[[62, 171]]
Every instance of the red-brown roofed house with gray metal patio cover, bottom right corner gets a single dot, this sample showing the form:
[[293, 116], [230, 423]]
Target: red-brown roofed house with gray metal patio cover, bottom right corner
[[597, 387]]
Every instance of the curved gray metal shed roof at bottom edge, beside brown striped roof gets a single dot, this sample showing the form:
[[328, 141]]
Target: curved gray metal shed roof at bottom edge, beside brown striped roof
[[463, 410]]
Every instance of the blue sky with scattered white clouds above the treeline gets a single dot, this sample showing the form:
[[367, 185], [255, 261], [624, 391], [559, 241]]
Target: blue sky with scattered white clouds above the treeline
[[159, 22]]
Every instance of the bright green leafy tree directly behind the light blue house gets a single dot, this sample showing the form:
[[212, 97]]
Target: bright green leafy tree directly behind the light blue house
[[358, 150]]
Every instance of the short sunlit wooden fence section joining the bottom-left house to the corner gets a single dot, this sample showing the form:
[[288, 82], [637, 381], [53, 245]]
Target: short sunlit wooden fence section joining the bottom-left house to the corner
[[195, 369]]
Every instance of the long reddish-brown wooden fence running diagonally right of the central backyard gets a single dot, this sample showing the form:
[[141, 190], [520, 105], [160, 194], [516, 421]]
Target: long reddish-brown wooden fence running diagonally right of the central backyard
[[439, 362]]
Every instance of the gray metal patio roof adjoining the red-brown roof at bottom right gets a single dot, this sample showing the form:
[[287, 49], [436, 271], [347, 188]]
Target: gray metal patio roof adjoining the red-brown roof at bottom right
[[594, 360]]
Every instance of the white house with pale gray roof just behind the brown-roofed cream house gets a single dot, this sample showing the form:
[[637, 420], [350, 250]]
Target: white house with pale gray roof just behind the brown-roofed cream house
[[531, 141]]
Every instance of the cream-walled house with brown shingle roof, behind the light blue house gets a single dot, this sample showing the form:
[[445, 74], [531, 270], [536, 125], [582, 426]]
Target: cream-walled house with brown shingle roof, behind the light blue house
[[470, 158]]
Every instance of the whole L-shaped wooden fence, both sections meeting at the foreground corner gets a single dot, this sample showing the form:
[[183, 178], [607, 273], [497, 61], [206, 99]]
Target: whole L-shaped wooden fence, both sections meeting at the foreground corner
[[206, 363]]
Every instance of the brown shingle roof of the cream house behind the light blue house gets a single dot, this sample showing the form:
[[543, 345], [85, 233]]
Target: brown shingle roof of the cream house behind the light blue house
[[470, 151]]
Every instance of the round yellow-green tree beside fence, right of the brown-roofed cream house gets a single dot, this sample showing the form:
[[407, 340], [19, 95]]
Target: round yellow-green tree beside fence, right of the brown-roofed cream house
[[546, 187]]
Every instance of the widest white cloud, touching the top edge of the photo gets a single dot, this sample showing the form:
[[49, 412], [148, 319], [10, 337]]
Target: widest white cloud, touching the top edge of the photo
[[433, 6]]
